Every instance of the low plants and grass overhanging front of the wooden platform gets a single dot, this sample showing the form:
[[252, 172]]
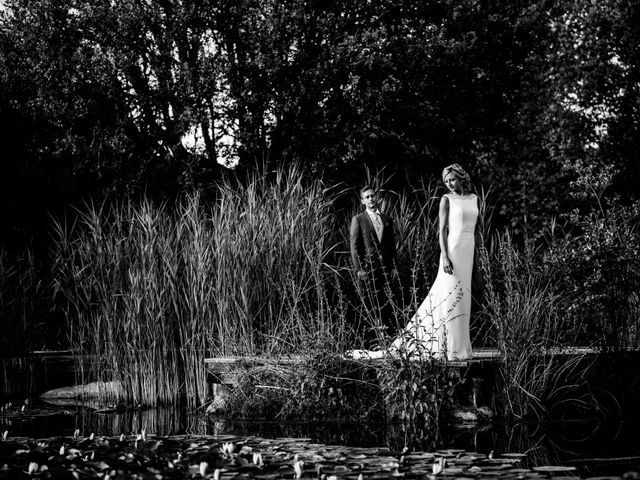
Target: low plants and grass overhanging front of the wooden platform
[[324, 386]]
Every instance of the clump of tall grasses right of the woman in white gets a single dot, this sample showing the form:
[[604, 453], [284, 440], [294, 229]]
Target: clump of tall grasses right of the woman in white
[[529, 331]]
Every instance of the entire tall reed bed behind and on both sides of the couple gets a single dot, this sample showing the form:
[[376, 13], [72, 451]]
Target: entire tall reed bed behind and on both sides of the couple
[[152, 289]]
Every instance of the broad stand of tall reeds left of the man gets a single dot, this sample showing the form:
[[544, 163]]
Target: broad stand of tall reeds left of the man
[[152, 290]]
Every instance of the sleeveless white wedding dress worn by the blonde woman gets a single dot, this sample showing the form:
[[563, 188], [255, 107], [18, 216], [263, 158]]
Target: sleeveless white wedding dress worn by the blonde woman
[[440, 326]]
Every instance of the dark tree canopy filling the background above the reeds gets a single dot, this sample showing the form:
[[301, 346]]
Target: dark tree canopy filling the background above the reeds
[[98, 96]]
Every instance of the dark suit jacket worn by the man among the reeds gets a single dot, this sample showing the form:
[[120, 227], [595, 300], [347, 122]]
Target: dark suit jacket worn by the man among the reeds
[[366, 250]]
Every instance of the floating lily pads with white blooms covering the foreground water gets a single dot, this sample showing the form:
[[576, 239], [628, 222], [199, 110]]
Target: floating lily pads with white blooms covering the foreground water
[[218, 457]]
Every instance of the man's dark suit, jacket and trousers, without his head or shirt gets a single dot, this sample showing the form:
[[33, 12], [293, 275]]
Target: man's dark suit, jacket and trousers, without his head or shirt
[[377, 258]]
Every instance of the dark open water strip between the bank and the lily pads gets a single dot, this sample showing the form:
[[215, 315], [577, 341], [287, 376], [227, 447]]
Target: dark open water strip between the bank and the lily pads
[[557, 443]]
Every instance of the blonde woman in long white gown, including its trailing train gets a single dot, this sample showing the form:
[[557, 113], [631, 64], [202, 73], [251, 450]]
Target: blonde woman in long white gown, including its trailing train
[[440, 326]]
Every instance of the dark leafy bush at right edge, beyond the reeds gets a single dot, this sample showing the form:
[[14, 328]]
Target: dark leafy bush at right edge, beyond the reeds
[[596, 265]]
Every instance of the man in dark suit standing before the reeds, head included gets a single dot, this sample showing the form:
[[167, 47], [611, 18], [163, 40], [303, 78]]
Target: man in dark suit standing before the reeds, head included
[[373, 253]]
